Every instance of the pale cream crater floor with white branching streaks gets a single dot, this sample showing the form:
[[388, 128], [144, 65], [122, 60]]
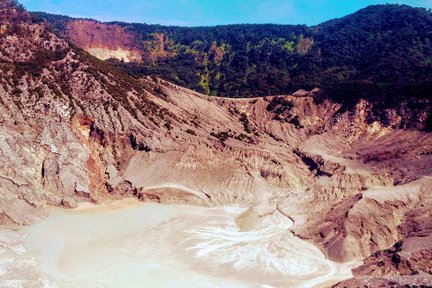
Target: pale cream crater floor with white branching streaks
[[132, 244]]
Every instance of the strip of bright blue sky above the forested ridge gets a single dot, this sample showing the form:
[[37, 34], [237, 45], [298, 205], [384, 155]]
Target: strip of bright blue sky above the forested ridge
[[210, 12]]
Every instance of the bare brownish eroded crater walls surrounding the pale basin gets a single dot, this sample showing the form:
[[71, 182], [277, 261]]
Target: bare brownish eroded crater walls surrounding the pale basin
[[75, 129]]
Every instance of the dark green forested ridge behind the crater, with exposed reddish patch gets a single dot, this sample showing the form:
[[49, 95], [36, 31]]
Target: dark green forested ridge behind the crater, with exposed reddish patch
[[380, 53]]
